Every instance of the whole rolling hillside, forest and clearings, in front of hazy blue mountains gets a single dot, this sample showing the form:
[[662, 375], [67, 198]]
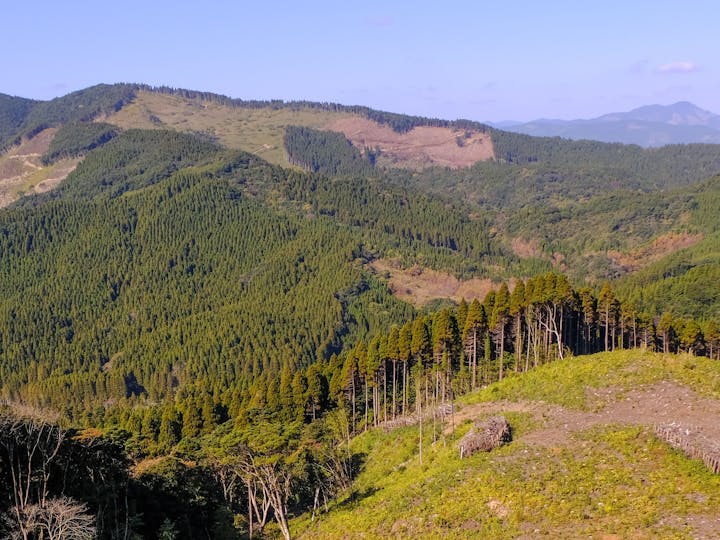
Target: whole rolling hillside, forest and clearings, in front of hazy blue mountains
[[217, 301]]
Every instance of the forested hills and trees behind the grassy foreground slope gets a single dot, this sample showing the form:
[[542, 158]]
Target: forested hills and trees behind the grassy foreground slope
[[212, 322]]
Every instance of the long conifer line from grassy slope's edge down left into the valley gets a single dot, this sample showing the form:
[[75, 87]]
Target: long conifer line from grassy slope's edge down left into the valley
[[431, 359]]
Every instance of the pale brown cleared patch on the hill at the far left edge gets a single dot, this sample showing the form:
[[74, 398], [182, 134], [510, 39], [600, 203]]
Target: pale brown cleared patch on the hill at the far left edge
[[22, 171]]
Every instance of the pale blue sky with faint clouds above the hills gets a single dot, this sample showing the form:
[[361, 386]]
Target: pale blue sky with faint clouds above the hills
[[482, 60]]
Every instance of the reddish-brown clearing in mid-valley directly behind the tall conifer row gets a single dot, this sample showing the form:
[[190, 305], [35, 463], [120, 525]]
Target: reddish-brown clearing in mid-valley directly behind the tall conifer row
[[420, 285]]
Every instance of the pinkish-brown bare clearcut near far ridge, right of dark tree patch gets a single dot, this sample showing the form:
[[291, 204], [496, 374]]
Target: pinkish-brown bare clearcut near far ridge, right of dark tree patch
[[422, 146]]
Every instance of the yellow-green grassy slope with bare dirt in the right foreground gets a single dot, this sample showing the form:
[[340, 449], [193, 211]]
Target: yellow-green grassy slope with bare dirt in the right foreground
[[582, 464]]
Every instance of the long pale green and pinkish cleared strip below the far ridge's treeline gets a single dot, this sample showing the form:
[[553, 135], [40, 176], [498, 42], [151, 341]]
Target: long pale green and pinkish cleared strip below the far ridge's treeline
[[260, 131]]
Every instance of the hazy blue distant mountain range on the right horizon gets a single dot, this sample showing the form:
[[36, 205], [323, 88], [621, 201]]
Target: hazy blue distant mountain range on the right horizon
[[652, 125]]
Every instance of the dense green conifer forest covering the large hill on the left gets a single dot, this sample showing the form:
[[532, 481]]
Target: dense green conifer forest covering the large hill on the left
[[183, 283]]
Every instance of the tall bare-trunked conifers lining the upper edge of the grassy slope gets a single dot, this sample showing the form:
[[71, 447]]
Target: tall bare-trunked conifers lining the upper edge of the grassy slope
[[433, 358]]
